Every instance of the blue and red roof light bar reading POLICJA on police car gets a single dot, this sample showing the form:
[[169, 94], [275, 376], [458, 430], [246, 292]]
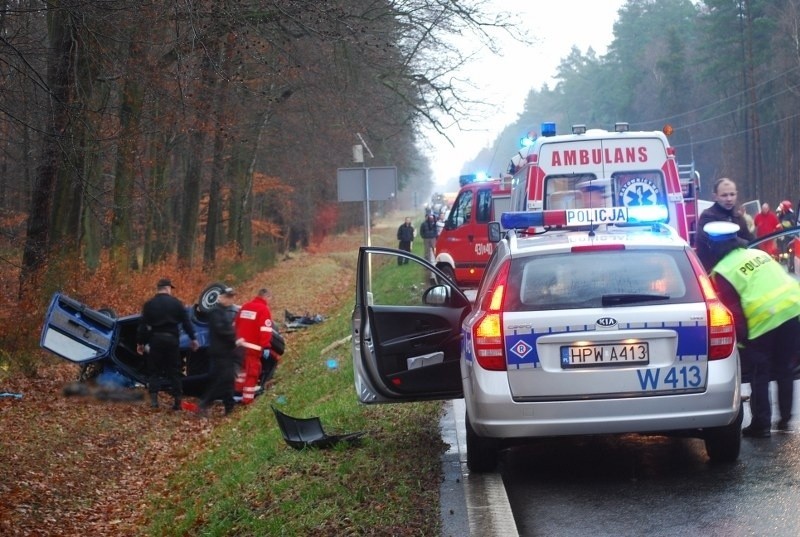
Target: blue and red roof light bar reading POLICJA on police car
[[638, 215]]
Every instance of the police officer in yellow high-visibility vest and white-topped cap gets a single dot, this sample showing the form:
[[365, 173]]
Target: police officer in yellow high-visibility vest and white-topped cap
[[765, 302]]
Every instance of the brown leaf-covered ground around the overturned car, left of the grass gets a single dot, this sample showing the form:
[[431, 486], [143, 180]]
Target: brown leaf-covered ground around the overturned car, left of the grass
[[80, 465]]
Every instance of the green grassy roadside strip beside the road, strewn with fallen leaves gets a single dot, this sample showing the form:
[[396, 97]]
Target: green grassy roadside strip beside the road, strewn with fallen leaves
[[244, 480]]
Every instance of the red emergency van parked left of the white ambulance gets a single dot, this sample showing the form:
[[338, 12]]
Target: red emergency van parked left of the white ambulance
[[463, 248]]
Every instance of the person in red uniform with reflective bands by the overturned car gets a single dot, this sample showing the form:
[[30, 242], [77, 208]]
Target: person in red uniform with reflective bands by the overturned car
[[254, 334]]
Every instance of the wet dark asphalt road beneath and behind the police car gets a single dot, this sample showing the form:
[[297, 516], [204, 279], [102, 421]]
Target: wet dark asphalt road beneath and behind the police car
[[655, 486]]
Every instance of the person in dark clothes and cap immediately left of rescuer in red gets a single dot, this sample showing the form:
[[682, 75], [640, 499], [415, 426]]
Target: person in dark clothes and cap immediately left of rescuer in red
[[223, 354]]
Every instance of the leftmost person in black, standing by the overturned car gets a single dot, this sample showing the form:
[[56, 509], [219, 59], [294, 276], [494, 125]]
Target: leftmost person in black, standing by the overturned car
[[157, 338]]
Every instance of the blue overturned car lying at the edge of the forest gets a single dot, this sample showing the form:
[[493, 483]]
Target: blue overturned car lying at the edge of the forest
[[104, 345]]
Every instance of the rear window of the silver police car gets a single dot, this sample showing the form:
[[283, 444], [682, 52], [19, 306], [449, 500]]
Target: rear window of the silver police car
[[601, 279]]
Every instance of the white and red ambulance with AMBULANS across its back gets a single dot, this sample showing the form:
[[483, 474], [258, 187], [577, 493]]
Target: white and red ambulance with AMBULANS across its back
[[599, 169]]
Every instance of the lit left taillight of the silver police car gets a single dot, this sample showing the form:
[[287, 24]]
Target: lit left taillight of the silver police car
[[487, 331]]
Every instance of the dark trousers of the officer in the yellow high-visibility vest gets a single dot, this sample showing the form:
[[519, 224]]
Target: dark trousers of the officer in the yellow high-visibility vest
[[772, 356]]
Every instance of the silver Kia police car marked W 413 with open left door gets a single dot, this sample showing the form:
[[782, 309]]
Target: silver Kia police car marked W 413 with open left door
[[604, 323]]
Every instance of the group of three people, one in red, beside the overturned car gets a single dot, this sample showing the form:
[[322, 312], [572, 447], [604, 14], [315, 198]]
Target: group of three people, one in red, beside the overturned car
[[238, 340]]
